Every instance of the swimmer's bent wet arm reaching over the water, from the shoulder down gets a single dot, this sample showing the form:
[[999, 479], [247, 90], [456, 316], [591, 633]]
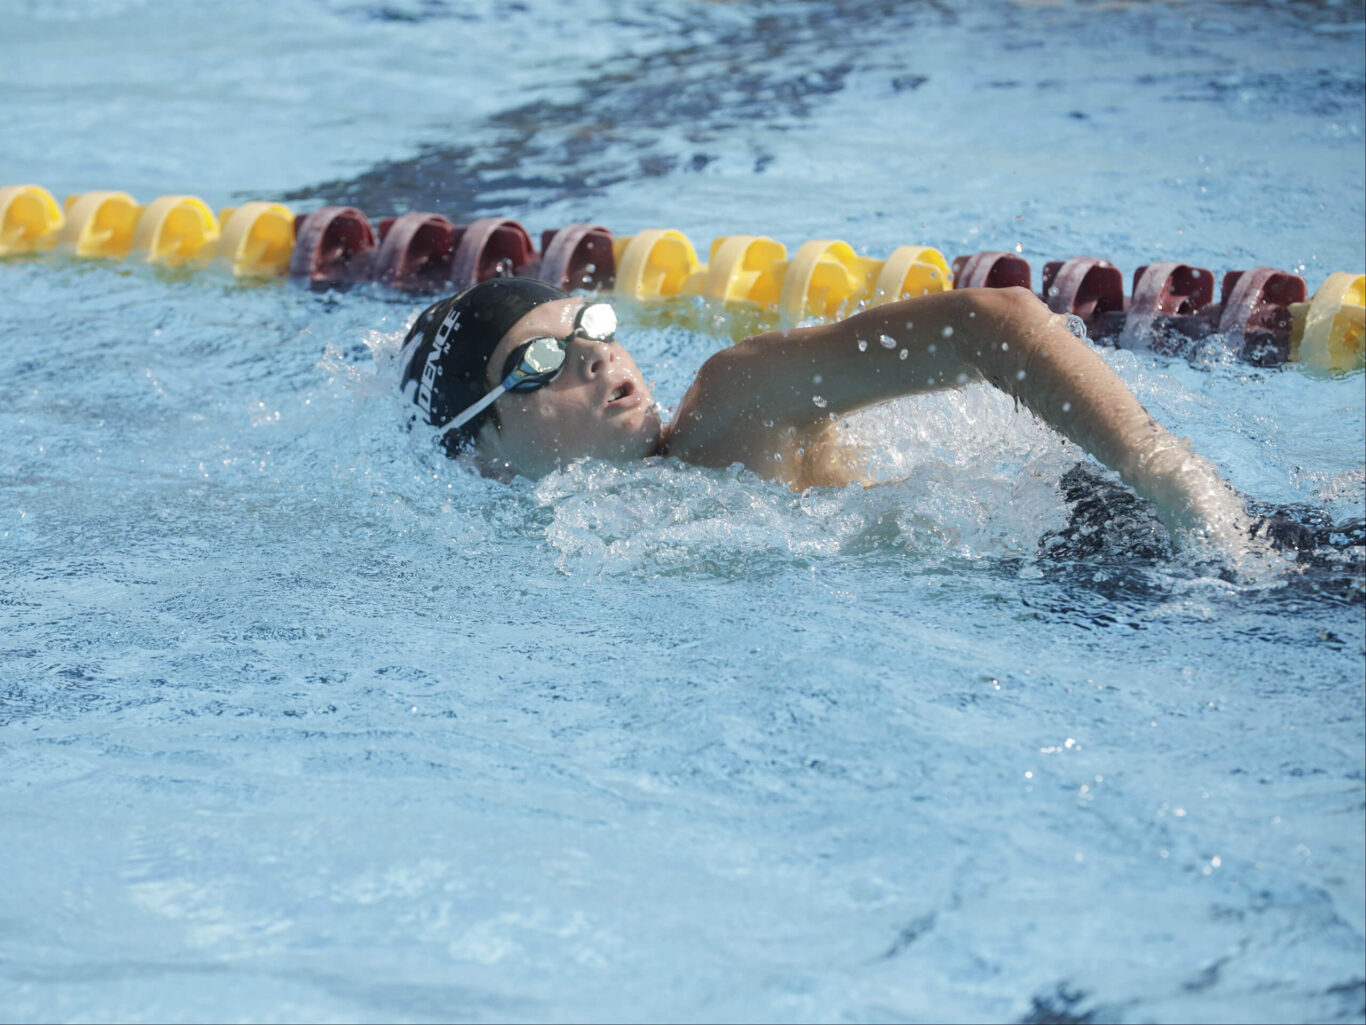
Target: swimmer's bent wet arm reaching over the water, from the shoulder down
[[749, 396]]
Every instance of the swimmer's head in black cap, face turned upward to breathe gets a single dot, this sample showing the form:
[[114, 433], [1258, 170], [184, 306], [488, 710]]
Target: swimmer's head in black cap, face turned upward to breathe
[[461, 351]]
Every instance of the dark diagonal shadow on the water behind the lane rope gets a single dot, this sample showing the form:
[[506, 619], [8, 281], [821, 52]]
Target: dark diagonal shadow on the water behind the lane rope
[[766, 65]]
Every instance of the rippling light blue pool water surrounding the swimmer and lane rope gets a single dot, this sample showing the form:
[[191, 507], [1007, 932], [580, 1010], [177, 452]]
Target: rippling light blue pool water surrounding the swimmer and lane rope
[[305, 724]]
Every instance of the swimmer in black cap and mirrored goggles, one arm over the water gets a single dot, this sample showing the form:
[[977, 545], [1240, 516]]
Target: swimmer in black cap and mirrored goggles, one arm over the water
[[528, 379]]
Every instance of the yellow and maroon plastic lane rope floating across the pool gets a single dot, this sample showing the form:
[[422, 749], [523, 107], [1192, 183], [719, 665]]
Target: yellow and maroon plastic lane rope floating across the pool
[[1264, 315]]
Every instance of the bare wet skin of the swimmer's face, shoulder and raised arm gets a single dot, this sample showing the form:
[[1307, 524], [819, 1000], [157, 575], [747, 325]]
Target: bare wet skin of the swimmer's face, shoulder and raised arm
[[756, 402]]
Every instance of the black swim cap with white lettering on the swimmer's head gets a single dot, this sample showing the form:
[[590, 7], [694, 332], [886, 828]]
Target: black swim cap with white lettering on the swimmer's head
[[447, 352]]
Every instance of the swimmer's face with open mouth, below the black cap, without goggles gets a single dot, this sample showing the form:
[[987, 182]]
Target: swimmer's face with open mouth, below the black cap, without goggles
[[598, 407]]
